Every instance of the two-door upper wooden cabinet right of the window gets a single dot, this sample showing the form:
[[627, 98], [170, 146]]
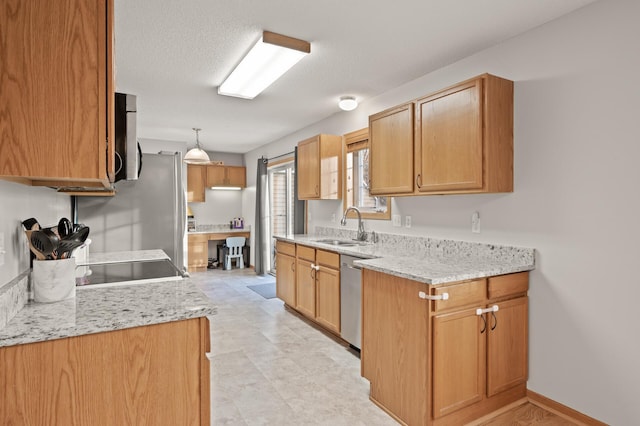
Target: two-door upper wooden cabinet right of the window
[[463, 141]]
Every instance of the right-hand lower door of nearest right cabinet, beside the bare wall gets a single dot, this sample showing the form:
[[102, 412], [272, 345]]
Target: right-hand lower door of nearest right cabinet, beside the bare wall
[[507, 346]]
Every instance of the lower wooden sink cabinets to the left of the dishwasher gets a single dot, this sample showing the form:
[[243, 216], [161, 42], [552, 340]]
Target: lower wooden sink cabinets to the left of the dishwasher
[[308, 280]]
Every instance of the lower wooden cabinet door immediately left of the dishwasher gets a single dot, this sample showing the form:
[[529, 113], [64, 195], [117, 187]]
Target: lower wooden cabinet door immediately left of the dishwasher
[[328, 298]]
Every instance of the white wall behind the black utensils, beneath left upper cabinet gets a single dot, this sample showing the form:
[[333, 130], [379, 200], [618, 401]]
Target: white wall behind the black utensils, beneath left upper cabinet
[[17, 203]]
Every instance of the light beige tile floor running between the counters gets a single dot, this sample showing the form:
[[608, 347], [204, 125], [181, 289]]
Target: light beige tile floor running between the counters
[[269, 367]]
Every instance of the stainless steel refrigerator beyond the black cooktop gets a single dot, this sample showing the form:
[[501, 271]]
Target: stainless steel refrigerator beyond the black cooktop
[[147, 213]]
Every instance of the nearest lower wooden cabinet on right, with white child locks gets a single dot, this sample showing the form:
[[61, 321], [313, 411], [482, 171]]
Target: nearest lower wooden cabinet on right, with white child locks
[[447, 361]]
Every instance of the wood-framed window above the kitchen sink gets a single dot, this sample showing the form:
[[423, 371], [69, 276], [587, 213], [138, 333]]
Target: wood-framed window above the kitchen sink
[[356, 191]]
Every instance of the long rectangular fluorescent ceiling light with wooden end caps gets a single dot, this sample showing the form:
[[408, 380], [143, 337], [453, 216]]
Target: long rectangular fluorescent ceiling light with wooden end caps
[[268, 60]]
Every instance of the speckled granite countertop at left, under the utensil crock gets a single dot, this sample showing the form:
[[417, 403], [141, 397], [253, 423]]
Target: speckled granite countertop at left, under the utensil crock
[[96, 310]]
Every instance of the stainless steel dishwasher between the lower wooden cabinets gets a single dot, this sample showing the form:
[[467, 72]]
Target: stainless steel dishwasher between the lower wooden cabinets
[[350, 301]]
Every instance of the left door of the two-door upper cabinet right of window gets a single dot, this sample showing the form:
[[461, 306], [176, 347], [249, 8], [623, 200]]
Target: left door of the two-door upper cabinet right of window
[[391, 151]]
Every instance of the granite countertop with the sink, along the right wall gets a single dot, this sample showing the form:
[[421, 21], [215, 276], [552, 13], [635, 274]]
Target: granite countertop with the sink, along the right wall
[[430, 261]]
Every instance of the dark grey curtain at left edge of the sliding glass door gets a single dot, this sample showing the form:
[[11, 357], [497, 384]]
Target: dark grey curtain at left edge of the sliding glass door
[[261, 231]]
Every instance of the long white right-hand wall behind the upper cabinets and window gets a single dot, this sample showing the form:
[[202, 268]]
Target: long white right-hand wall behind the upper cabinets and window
[[575, 201]]
